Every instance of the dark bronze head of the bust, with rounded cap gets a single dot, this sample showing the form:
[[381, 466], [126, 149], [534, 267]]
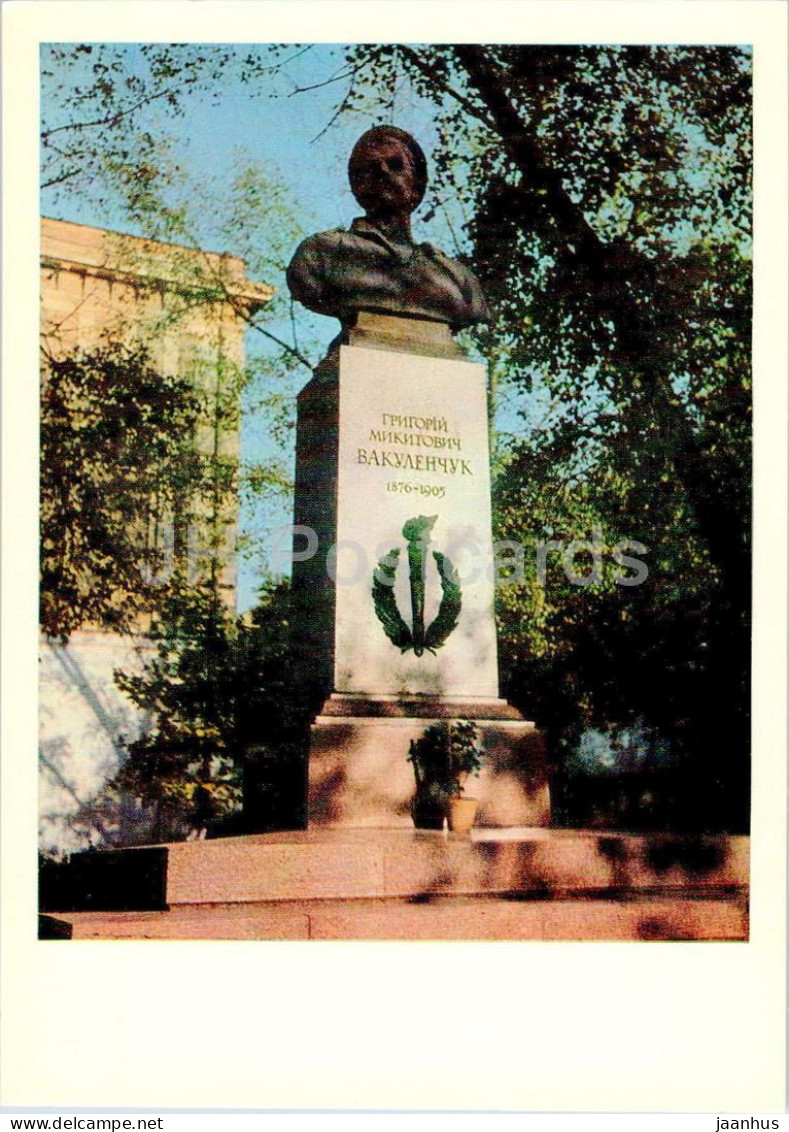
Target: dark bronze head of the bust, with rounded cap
[[388, 173]]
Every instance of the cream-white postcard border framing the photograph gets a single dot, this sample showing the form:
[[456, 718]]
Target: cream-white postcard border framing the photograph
[[535, 1027]]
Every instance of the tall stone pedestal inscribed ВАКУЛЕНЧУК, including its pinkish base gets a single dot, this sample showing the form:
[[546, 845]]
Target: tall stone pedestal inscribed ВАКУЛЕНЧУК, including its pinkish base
[[393, 577]]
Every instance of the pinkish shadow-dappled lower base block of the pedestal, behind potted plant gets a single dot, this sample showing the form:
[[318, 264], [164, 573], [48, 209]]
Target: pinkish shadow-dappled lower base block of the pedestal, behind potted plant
[[361, 777]]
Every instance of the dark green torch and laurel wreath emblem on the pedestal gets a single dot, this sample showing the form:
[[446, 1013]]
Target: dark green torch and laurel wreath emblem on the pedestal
[[417, 534]]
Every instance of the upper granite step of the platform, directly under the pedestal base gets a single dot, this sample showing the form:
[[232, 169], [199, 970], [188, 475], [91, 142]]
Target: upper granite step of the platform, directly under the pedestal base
[[345, 864]]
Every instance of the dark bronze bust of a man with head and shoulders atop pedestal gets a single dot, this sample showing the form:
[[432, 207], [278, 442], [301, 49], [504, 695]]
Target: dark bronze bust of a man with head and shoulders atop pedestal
[[376, 265]]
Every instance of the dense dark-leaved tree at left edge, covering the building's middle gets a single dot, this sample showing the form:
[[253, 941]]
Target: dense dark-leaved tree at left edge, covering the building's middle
[[117, 456]]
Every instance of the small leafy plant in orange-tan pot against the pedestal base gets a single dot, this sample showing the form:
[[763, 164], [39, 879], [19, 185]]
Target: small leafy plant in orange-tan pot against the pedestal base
[[443, 760]]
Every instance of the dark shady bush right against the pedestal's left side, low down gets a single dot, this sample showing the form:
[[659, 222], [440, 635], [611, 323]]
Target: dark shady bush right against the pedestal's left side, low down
[[226, 736]]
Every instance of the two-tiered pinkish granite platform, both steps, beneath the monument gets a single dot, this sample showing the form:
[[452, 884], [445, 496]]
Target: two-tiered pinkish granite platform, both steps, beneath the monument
[[407, 885]]
